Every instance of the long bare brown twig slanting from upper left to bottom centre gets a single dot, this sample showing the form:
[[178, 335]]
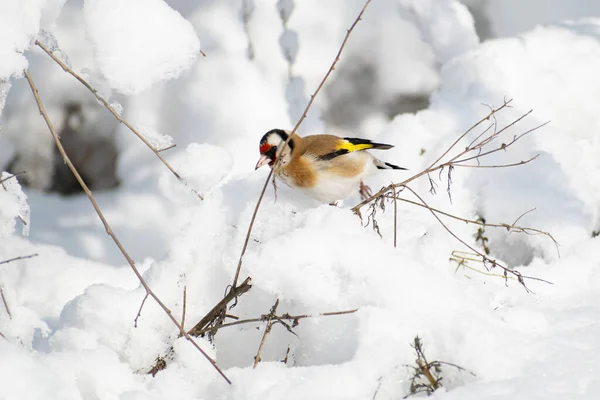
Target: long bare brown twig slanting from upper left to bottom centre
[[109, 230]]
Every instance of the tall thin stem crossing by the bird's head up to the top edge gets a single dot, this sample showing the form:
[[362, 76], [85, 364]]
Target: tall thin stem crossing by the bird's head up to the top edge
[[304, 114]]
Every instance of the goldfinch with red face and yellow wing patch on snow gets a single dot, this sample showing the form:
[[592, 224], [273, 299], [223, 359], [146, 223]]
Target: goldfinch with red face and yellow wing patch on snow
[[325, 167]]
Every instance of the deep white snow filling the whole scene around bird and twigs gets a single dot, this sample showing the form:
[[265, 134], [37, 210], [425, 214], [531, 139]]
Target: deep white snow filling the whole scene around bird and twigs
[[67, 323]]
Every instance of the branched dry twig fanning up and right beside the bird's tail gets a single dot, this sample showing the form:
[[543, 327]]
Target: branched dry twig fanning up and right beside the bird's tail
[[474, 152]]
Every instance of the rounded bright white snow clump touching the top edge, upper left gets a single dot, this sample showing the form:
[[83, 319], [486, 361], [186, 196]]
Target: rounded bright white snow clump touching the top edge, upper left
[[130, 42]]
